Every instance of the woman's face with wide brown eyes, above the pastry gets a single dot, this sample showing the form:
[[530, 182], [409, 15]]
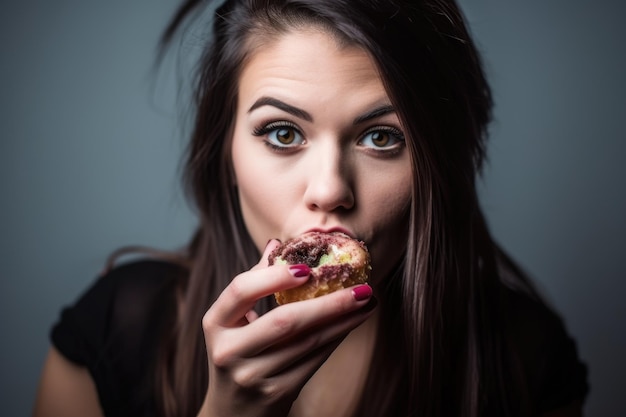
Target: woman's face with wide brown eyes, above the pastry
[[318, 146]]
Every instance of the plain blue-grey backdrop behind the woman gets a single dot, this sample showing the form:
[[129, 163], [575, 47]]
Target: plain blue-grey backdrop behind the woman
[[91, 139]]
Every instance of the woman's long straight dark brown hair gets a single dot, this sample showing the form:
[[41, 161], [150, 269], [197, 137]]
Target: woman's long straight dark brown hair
[[441, 349]]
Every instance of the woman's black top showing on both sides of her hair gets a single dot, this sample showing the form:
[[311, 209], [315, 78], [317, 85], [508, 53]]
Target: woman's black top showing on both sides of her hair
[[113, 330]]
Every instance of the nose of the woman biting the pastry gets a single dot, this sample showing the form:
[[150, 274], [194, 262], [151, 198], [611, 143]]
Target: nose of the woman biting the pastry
[[330, 182]]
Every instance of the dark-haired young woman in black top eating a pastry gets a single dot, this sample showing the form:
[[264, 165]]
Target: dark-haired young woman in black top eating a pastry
[[367, 117]]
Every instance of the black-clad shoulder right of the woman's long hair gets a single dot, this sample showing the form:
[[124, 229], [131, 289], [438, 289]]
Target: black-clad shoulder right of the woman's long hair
[[555, 375]]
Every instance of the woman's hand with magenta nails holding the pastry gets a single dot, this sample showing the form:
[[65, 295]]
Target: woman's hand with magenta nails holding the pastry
[[258, 365]]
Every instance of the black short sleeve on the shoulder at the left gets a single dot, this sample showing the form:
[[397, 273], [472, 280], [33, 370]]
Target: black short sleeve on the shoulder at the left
[[114, 328]]
